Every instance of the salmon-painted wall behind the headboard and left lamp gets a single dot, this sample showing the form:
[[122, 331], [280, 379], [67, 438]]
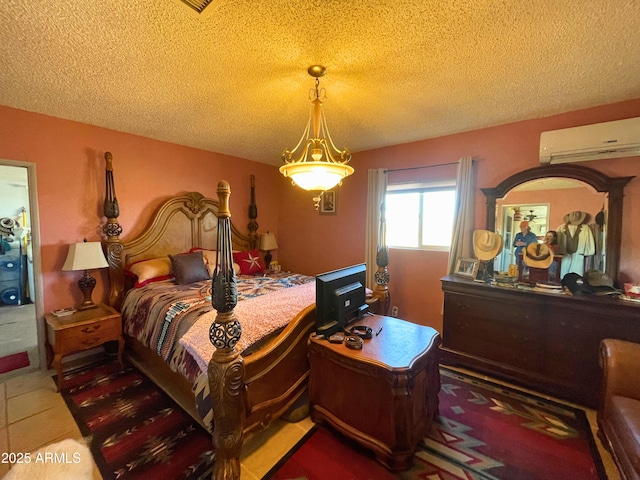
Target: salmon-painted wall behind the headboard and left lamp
[[69, 158]]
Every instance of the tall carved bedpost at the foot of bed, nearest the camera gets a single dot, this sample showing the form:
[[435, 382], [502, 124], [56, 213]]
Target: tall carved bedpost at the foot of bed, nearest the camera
[[226, 368]]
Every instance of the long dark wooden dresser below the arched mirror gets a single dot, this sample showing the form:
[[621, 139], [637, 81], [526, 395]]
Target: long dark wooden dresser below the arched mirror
[[548, 342]]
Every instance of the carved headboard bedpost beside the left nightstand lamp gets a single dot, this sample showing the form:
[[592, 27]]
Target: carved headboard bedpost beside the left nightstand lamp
[[112, 231]]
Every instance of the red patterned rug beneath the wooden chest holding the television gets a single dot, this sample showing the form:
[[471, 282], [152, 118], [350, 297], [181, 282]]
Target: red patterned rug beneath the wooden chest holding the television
[[483, 431]]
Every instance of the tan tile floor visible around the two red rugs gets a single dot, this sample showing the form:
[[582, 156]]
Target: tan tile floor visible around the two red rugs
[[32, 415]]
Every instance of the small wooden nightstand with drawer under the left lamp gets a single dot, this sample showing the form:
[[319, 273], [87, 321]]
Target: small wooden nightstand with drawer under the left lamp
[[79, 331]]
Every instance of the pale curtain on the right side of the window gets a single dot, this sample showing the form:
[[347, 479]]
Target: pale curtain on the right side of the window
[[464, 223]]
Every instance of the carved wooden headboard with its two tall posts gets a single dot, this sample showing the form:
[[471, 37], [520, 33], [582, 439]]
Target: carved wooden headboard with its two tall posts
[[179, 224]]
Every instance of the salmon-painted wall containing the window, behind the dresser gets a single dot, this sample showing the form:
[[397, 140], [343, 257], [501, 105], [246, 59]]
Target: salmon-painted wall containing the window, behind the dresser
[[313, 243]]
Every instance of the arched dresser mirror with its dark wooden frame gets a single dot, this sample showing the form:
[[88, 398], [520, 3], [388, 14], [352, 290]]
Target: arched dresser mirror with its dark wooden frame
[[559, 187]]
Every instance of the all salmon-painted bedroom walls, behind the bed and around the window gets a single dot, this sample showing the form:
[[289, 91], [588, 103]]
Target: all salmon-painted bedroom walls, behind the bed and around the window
[[70, 169]]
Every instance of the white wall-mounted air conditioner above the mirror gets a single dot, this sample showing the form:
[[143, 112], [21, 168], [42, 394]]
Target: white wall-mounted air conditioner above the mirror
[[620, 138]]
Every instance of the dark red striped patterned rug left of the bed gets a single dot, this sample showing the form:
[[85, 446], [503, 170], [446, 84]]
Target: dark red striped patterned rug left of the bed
[[135, 431]]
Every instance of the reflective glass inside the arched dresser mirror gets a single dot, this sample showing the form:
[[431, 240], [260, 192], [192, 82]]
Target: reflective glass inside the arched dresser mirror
[[545, 204]]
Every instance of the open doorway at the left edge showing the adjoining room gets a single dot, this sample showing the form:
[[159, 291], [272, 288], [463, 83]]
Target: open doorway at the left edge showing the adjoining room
[[21, 303]]
